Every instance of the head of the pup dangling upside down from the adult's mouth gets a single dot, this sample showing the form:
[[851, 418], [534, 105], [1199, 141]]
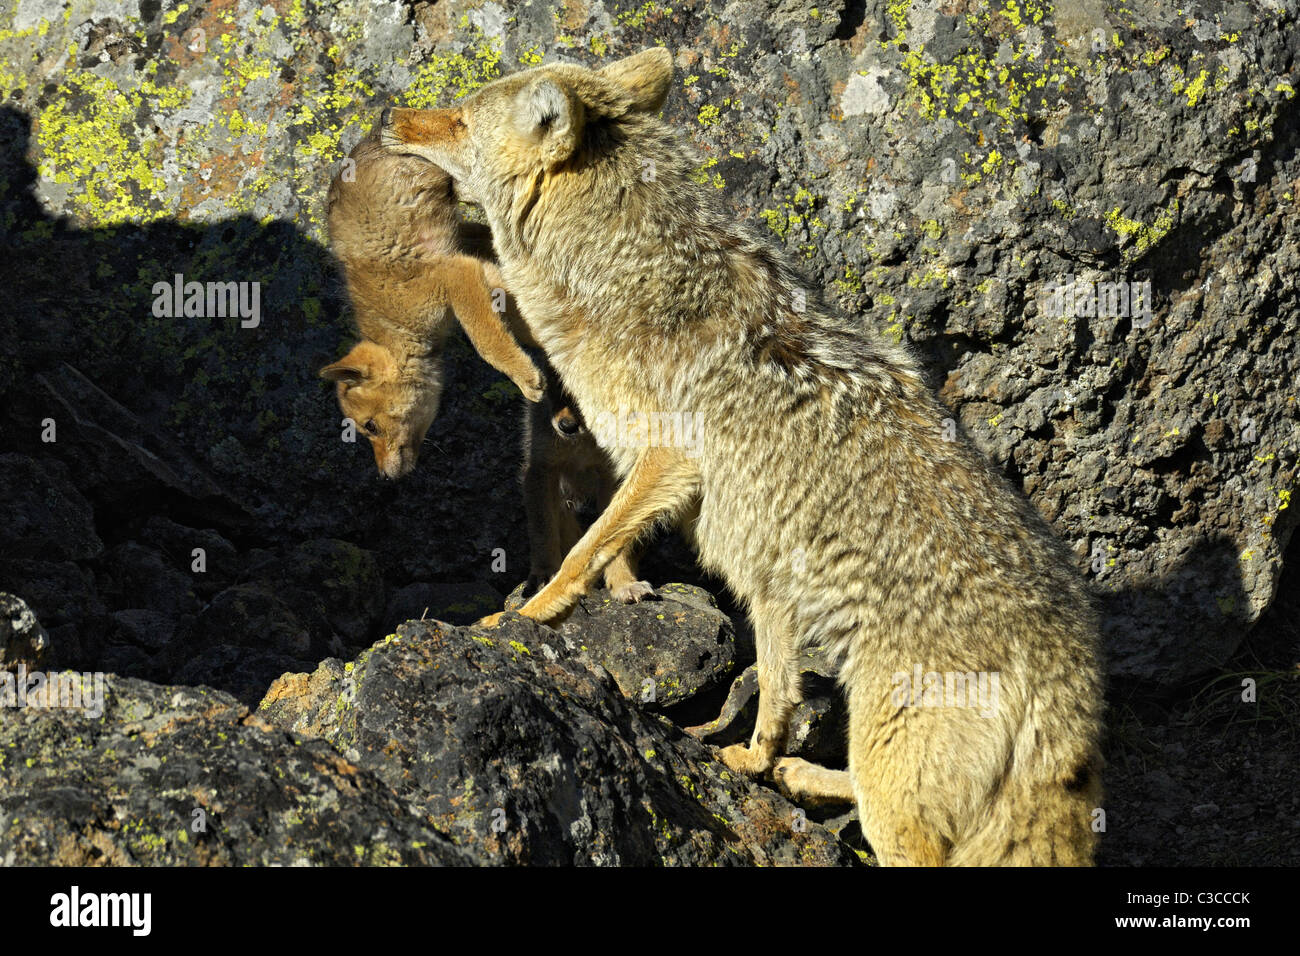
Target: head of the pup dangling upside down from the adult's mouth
[[393, 403]]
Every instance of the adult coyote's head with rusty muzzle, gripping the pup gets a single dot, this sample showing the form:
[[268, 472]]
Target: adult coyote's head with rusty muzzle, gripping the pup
[[504, 136]]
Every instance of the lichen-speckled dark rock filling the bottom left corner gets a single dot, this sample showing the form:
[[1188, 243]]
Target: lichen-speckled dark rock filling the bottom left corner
[[183, 777]]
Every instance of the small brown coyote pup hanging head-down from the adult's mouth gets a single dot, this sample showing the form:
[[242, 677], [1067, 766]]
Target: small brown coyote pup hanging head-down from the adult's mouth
[[411, 265]]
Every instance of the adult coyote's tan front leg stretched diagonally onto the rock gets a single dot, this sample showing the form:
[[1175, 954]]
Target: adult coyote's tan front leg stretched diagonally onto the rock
[[662, 482]]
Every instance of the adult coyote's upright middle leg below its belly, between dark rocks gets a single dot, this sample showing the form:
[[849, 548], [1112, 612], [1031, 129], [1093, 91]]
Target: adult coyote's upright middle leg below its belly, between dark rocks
[[779, 693]]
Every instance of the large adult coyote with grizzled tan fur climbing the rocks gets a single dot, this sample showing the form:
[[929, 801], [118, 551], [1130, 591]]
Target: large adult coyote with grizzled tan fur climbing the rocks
[[824, 487]]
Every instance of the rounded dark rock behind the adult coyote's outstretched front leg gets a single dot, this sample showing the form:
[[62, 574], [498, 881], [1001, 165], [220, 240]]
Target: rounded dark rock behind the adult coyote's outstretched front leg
[[662, 651]]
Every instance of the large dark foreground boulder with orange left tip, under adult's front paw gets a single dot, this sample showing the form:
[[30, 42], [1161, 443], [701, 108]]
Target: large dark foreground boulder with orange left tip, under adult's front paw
[[528, 760]]
